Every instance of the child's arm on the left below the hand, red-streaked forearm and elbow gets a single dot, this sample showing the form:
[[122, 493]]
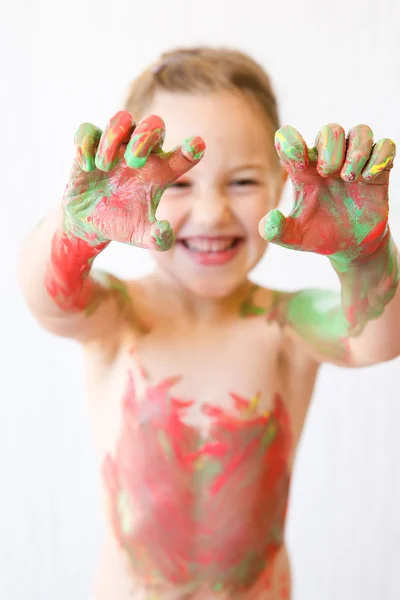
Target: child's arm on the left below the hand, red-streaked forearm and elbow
[[66, 297]]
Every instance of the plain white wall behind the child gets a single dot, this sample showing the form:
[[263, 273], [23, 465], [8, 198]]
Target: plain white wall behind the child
[[69, 62]]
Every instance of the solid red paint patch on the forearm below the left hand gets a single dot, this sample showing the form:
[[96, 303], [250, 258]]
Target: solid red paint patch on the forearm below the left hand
[[66, 279]]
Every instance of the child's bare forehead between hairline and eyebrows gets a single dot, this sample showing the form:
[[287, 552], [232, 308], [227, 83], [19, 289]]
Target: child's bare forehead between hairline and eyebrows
[[232, 126]]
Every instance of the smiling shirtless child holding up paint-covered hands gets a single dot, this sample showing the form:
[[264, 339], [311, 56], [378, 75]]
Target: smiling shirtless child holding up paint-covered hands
[[199, 382]]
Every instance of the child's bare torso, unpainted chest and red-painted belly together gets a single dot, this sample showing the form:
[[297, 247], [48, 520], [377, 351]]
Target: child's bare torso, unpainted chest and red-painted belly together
[[196, 432]]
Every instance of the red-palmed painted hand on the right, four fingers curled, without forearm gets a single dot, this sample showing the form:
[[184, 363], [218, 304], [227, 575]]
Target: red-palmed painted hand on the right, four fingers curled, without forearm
[[340, 193]]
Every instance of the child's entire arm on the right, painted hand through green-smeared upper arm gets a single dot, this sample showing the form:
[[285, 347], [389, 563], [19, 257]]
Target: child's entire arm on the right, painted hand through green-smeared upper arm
[[341, 210]]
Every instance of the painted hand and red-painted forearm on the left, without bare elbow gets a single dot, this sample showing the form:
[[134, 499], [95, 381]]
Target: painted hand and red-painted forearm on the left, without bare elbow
[[115, 186]]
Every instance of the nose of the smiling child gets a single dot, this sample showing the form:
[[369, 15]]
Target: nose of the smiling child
[[210, 208]]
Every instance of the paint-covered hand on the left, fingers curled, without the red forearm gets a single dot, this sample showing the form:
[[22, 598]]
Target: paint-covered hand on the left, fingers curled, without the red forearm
[[118, 178]]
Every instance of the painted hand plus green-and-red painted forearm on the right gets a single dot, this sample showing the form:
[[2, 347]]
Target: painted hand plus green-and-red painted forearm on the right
[[341, 211]]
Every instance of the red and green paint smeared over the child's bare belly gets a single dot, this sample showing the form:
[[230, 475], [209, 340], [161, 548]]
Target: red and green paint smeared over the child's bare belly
[[194, 511]]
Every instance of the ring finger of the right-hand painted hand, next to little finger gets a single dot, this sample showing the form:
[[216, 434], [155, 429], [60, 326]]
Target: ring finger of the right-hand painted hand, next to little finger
[[360, 140]]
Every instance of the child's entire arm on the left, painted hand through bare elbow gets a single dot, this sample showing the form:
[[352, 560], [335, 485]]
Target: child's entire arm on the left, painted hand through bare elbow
[[115, 186]]
